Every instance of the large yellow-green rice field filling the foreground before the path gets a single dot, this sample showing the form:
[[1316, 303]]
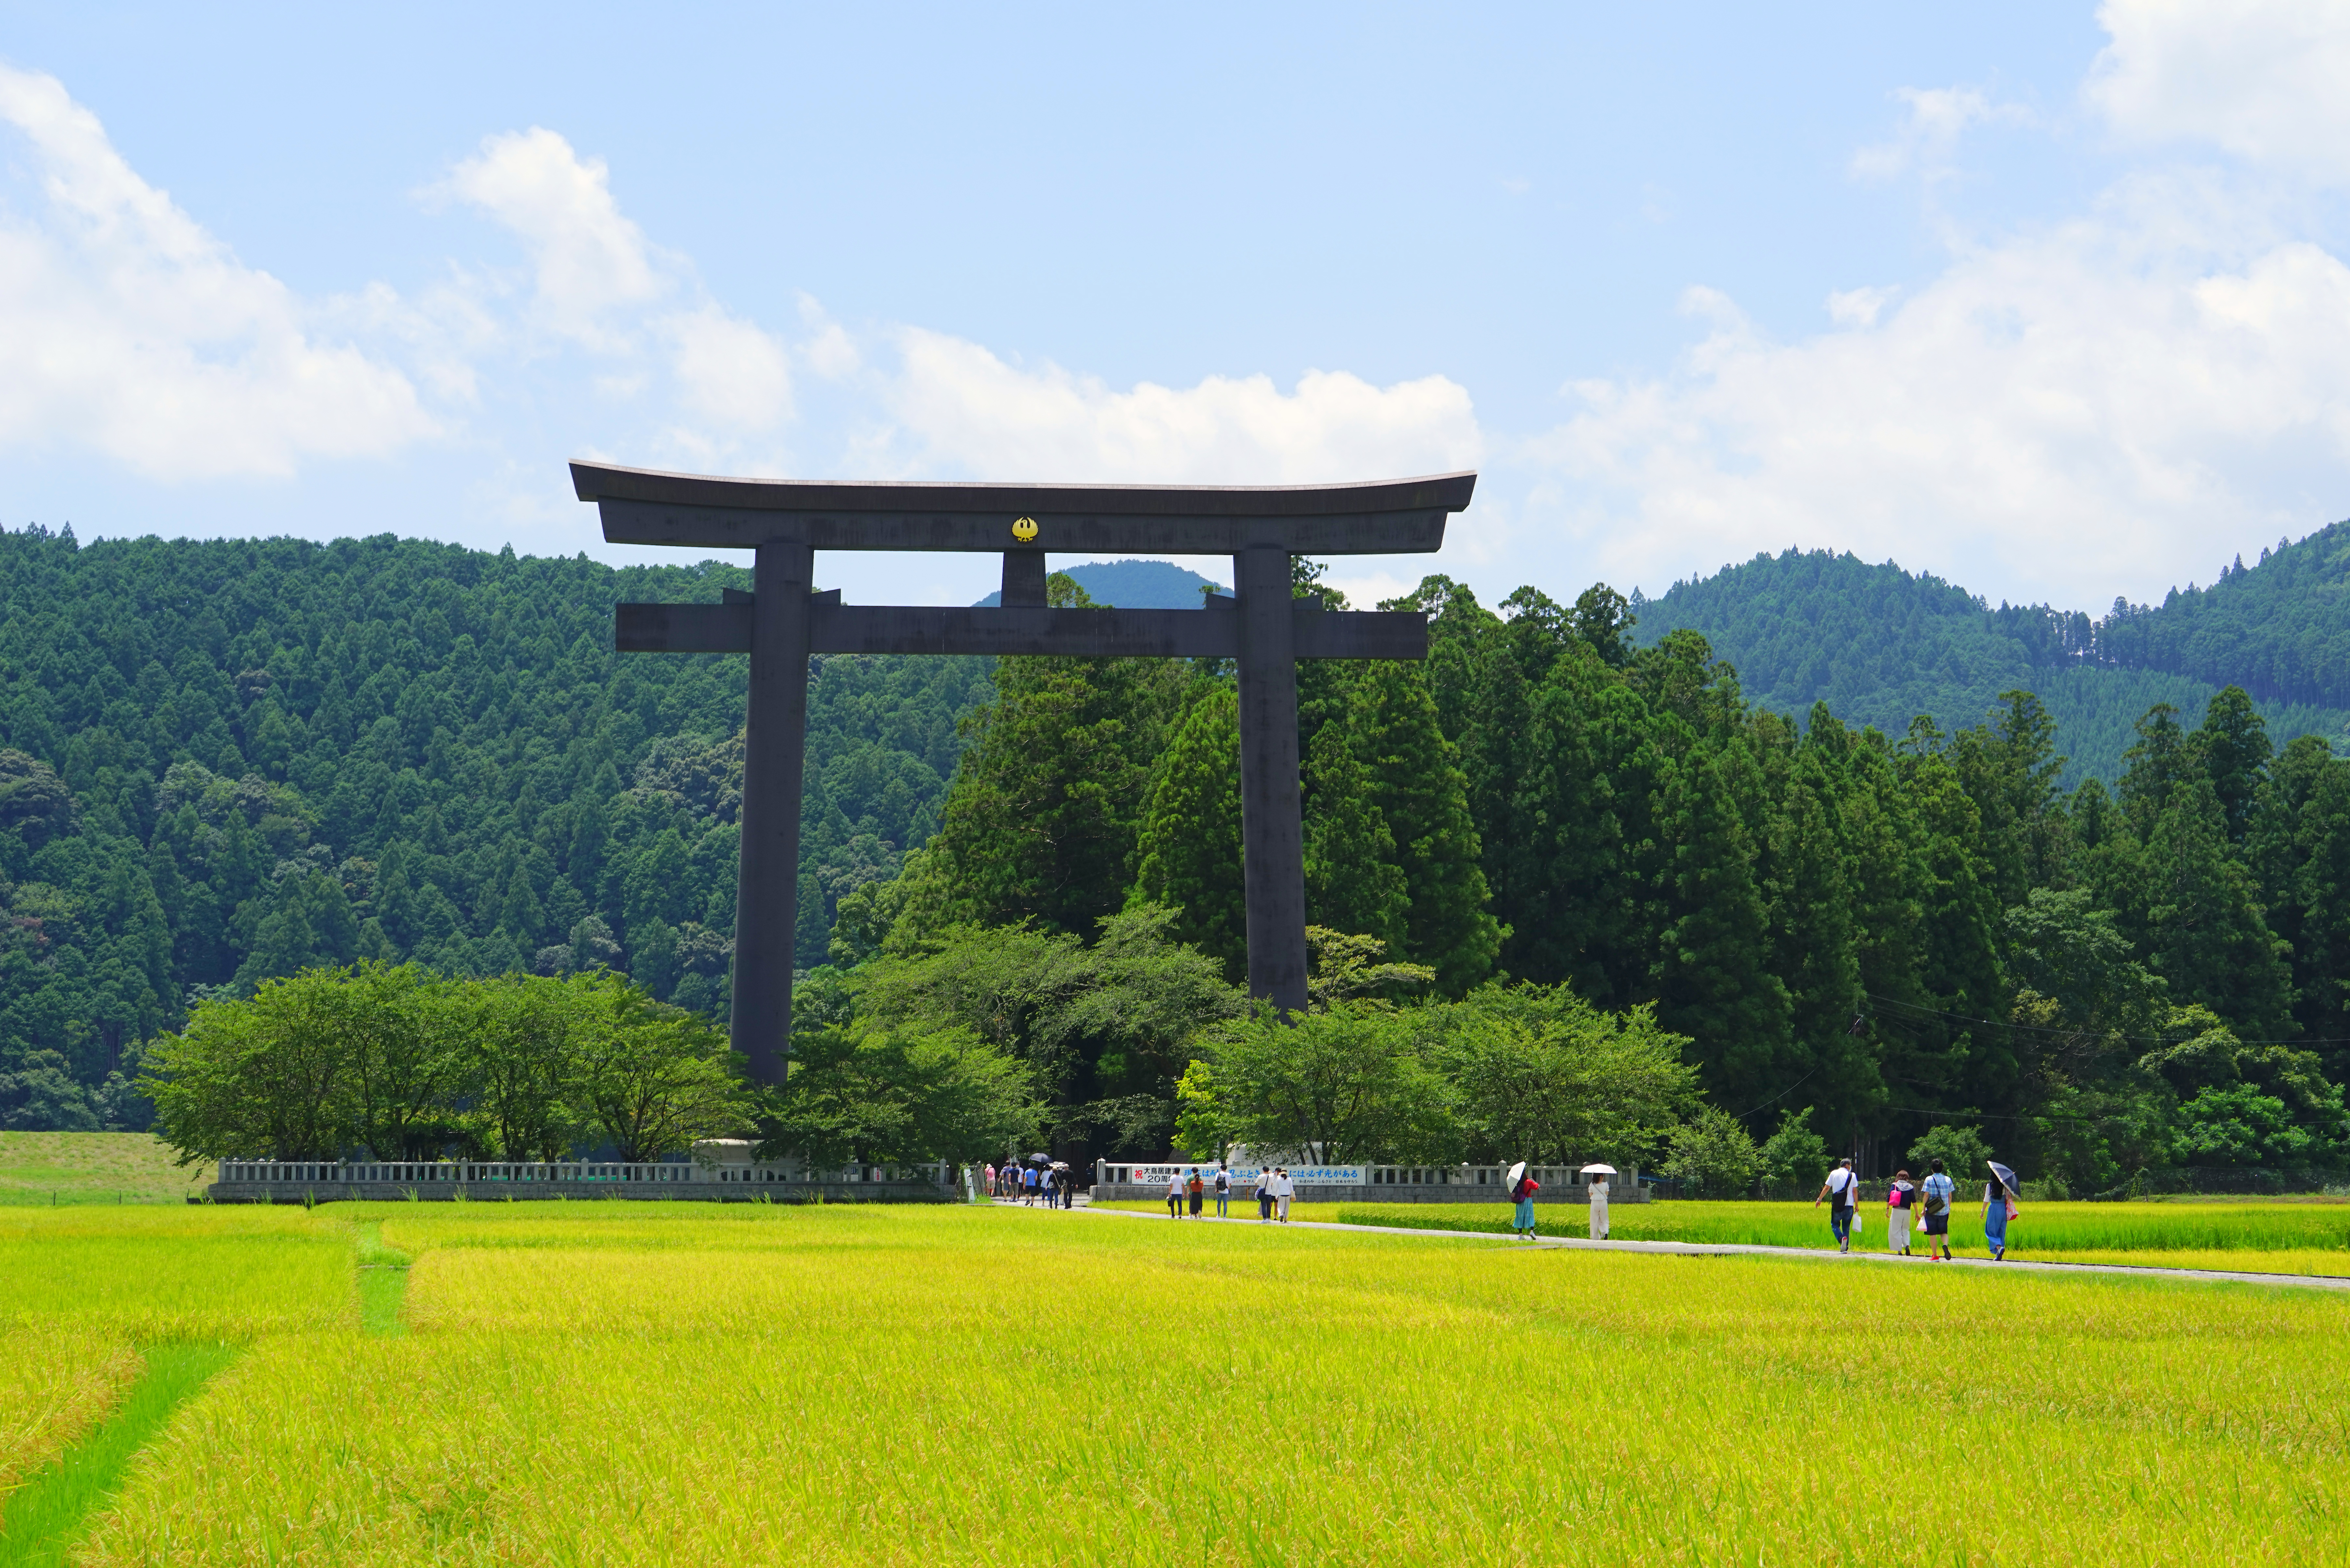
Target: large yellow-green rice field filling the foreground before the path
[[669, 1383]]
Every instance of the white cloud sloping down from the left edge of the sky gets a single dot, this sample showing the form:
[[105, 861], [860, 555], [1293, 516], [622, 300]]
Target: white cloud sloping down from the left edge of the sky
[[130, 330]]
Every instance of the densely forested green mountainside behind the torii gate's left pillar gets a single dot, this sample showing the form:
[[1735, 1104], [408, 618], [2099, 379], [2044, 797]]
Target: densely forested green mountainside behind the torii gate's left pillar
[[229, 760]]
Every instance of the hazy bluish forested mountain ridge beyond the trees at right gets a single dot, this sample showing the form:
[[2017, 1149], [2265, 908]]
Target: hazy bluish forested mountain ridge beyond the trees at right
[[1881, 645]]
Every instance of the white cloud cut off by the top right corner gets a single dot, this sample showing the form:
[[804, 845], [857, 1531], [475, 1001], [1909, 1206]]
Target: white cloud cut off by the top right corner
[[2260, 79]]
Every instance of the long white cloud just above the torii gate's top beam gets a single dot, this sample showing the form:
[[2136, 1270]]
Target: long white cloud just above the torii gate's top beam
[[979, 415]]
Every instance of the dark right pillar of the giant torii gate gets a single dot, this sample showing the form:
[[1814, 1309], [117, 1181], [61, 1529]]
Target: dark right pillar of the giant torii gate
[[1273, 836]]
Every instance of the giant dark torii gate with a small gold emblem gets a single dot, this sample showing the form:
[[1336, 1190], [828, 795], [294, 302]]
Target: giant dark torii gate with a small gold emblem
[[1265, 629]]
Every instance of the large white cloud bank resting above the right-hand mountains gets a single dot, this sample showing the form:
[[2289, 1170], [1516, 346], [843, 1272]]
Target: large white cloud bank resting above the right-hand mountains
[[2095, 406]]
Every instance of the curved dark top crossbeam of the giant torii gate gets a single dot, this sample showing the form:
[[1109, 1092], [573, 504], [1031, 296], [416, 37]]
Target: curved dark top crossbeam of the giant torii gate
[[643, 507]]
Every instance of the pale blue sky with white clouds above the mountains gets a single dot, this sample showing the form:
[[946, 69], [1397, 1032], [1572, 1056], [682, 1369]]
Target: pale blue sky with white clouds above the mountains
[[2046, 300]]
